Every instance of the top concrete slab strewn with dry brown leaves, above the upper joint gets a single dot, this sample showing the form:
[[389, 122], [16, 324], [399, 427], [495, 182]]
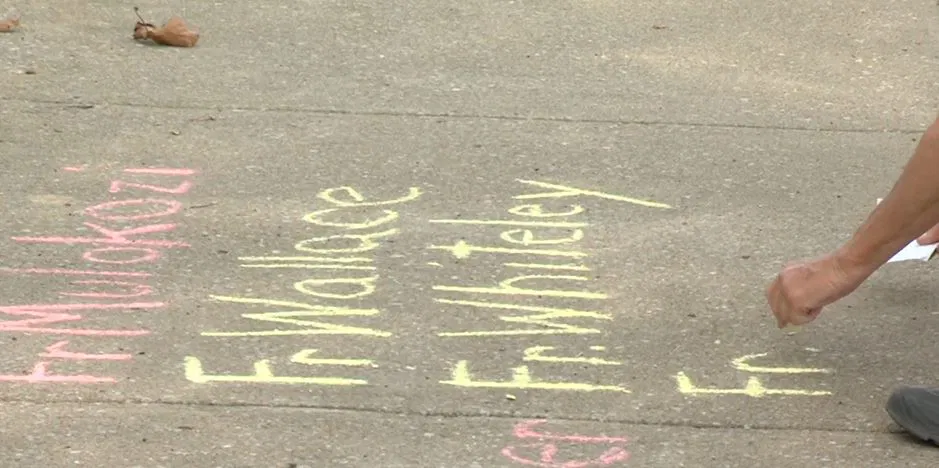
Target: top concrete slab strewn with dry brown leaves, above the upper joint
[[804, 64]]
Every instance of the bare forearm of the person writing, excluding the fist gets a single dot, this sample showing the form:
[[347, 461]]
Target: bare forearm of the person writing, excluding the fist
[[911, 208]]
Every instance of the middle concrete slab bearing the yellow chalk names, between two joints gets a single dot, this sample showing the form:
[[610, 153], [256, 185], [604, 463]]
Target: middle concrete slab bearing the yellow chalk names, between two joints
[[637, 292]]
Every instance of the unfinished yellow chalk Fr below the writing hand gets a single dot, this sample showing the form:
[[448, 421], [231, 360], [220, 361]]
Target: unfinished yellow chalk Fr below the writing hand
[[754, 387]]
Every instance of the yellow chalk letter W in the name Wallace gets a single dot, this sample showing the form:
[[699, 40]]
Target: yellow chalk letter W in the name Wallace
[[299, 309]]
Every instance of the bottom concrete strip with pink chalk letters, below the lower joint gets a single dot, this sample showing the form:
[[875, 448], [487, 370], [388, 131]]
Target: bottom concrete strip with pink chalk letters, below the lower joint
[[182, 435]]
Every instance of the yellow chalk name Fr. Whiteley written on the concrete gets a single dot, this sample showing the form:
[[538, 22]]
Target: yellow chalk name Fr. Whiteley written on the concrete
[[544, 265]]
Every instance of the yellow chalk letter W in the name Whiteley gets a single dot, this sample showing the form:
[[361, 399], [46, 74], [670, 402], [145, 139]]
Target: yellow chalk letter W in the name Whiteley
[[546, 318]]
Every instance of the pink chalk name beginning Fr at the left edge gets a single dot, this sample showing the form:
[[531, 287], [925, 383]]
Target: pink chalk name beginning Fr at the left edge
[[114, 289]]
